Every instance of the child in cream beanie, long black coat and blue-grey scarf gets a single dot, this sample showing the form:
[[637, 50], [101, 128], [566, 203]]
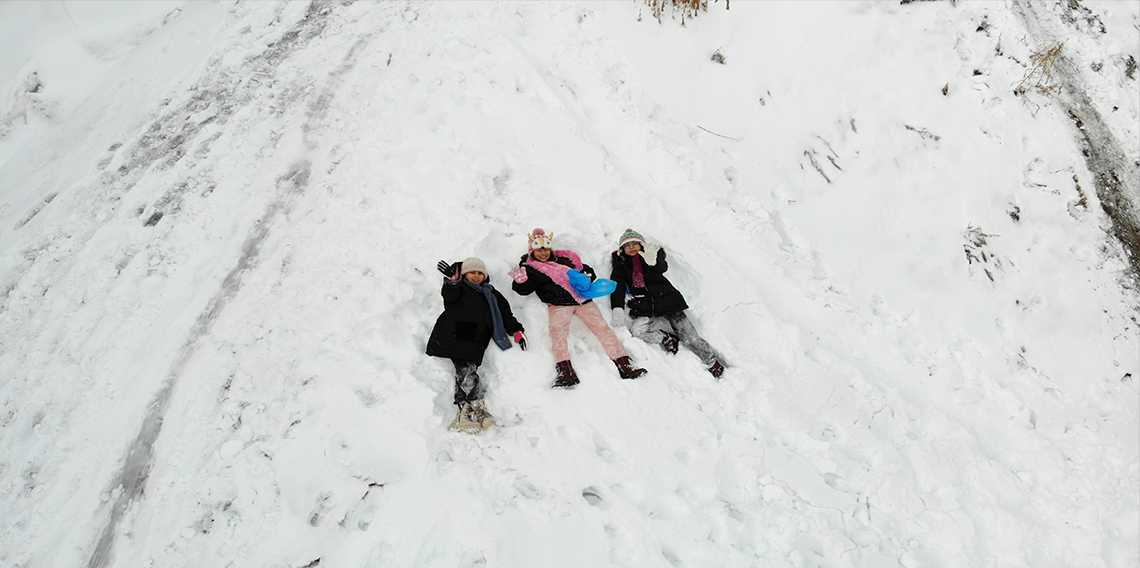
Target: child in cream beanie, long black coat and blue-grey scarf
[[474, 315]]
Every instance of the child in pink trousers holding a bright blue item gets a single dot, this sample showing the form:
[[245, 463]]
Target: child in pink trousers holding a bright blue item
[[557, 278]]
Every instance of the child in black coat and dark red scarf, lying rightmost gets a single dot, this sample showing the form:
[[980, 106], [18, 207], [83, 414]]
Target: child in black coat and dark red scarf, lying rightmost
[[657, 309]]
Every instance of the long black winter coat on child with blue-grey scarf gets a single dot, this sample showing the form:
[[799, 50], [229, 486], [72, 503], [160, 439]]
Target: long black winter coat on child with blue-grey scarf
[[466, 327]]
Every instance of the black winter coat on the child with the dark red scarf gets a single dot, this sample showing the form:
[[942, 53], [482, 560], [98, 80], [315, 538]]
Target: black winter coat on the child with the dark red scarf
[[657, 299]]
